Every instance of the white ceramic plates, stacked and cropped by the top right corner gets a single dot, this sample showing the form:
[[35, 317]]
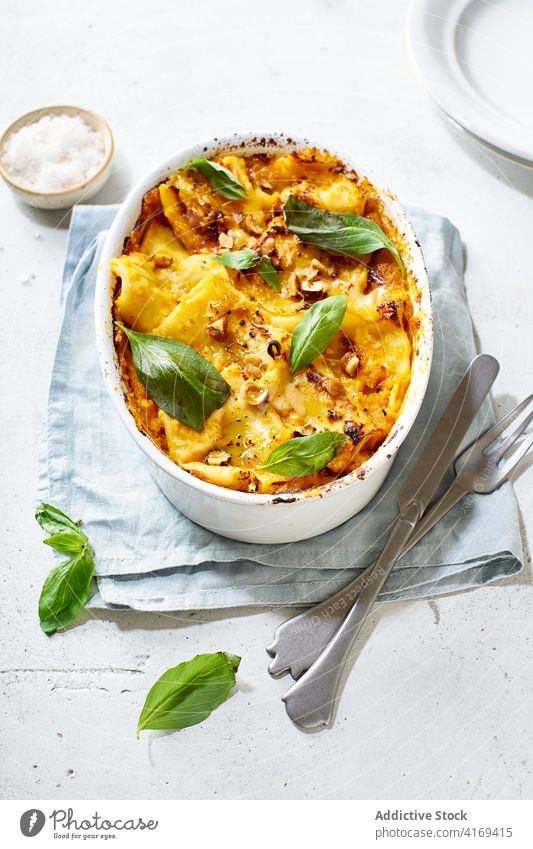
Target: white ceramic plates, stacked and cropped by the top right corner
[[476, 57]]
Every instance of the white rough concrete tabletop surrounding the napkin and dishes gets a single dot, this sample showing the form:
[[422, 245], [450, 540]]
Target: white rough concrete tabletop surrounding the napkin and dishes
[[439, 704]]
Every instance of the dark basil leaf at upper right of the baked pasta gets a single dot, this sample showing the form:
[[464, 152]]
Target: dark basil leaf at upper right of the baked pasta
[[340, 232]]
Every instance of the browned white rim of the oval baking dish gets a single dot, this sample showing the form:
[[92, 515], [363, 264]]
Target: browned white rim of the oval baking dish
[[124, 220]]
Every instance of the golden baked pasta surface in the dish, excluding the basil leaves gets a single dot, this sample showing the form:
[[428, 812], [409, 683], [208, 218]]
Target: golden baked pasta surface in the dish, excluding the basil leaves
[[168, 284]]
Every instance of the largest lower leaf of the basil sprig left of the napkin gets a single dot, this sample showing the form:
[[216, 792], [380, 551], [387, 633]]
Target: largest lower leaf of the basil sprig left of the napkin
[[65, 592]]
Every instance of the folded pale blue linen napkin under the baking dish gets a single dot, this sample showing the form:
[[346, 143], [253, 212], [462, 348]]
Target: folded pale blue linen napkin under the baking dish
[[150, 557]]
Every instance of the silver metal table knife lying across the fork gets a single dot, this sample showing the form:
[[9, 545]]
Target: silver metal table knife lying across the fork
[[311, 701]]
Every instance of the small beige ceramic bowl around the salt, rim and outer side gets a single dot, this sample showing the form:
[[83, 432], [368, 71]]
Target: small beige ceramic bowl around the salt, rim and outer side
[[62, 198]]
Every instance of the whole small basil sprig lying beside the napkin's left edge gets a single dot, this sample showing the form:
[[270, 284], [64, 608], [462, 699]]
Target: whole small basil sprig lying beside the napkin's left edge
[[68, 587]]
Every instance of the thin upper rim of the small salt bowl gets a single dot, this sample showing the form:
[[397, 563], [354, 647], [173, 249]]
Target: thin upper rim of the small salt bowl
[[28, 118]]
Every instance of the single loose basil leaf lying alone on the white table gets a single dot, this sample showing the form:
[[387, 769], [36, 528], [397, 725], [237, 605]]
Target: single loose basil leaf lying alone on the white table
[[186, 694]]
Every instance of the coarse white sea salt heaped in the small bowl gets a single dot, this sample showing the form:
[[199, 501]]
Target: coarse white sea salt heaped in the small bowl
[[54, 153]]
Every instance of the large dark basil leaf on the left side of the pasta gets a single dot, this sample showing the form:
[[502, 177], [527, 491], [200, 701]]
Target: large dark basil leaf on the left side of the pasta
[[182, 382]]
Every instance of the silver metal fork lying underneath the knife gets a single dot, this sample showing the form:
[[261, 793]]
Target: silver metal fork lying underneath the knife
[[481, 468]]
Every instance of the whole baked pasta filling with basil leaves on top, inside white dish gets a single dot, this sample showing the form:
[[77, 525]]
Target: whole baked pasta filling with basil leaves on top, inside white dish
[[282, 274]]
